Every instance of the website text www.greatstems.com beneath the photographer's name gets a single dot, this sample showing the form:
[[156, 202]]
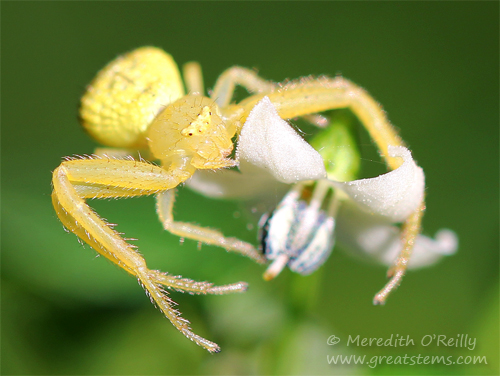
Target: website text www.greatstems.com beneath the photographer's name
[[406, 359]]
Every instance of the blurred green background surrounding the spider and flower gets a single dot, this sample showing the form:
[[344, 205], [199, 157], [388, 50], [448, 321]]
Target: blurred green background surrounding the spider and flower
[[433, 66]]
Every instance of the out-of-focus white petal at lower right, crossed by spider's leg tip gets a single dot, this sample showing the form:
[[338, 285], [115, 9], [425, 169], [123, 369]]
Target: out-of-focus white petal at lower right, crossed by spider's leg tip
[[375, 237]]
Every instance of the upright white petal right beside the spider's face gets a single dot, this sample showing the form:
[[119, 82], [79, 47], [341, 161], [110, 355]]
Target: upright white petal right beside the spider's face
[[269, 142]]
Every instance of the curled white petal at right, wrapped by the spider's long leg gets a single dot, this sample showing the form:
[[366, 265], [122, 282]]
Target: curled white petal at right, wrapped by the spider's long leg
[[394, 195]]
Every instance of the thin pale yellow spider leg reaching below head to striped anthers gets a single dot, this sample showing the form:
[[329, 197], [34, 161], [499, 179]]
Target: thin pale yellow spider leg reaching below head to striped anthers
[[164, 207]]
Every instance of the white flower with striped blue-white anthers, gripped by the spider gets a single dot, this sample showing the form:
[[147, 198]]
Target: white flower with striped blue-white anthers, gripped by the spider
[[300, 233]]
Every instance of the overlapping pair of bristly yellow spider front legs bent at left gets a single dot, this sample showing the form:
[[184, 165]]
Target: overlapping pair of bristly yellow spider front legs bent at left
[[76, 180]]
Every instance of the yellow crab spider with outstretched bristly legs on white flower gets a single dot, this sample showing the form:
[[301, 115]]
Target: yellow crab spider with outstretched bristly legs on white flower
[[137, 104]]
